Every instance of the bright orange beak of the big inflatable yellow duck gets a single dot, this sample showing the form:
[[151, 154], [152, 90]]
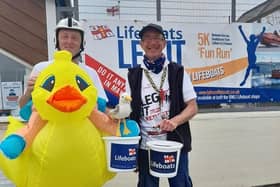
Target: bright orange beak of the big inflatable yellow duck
[[67, 99]]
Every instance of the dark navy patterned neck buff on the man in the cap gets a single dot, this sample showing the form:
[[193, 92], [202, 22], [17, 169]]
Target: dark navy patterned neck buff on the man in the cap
[[156, 65]]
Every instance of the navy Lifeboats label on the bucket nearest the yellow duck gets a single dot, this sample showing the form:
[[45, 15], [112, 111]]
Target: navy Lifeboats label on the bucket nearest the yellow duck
[[123, 156]]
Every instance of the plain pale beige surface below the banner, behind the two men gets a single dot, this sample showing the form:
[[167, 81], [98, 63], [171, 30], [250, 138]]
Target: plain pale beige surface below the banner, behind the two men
[[229, 150]]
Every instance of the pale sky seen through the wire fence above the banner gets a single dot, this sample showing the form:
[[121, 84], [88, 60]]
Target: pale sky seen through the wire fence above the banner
[[187, 11]]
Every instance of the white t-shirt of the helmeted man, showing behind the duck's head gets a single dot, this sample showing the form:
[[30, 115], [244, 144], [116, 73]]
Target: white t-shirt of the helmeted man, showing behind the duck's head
[[91, 72]]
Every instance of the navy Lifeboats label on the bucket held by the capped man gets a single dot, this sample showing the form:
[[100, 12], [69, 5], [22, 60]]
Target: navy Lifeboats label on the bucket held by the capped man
[[161, 162]]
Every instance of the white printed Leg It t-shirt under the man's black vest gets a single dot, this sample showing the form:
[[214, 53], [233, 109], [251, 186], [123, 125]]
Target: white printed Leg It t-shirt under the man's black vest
[[152, 112]]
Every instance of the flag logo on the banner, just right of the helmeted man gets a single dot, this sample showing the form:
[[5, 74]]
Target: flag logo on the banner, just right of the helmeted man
[[100, 32]]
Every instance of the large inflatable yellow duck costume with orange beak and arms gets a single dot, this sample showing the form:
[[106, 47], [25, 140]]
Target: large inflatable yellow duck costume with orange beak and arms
[[61, 146]]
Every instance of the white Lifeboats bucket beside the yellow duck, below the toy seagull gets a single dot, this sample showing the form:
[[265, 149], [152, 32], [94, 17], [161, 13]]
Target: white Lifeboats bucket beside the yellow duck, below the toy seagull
[[121, 153]]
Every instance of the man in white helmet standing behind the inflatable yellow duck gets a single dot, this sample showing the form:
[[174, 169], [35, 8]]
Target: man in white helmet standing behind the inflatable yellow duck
[[69, 35]]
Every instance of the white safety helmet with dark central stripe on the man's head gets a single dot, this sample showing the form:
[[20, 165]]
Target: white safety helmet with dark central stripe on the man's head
[[71, 24]]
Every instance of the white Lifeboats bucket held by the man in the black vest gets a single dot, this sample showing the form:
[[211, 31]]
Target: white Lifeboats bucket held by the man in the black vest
[[164, 157]]
